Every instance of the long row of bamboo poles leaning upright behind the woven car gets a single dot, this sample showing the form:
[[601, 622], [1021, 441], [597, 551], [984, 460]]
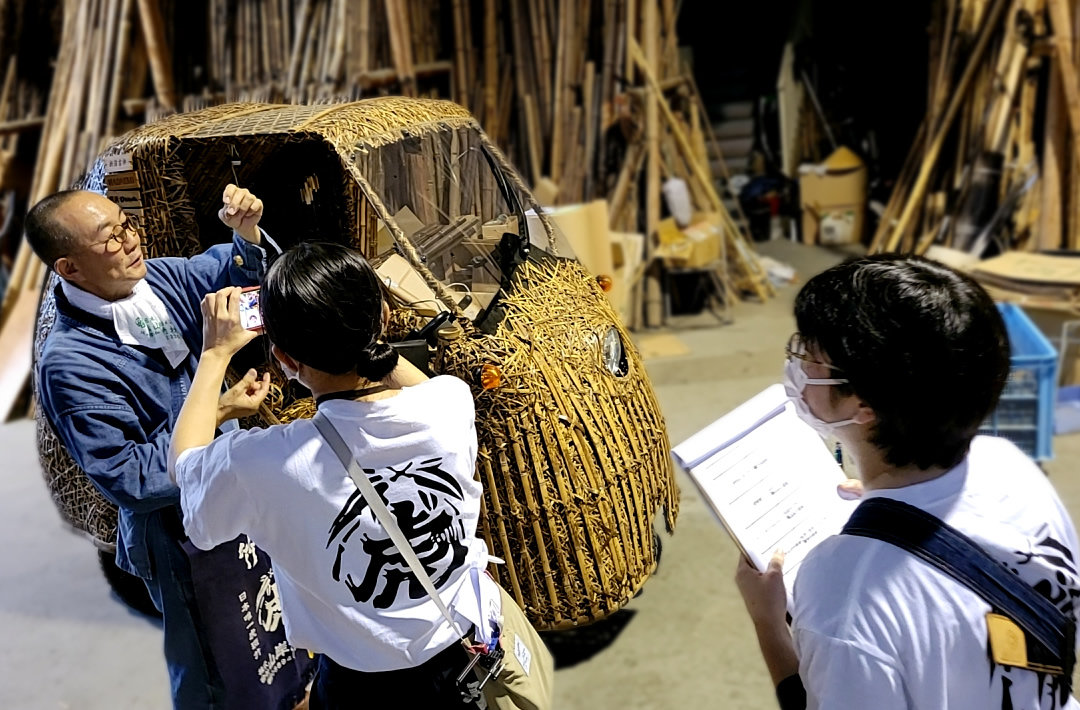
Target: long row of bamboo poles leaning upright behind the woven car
[[583, 97]]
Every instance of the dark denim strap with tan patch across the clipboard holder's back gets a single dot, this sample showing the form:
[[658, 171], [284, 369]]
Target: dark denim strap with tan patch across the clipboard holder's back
[[1049, 636]]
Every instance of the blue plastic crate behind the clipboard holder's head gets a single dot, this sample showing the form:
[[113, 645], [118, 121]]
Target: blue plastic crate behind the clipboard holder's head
[[1025, 416]]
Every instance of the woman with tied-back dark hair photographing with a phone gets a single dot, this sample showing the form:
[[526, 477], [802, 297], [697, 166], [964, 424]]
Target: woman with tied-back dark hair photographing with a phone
[[344, 588]]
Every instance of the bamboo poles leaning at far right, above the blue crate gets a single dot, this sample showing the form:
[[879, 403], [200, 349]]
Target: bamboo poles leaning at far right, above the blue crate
[[991, 167]]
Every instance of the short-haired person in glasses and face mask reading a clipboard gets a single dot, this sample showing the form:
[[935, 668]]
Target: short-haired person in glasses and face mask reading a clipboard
[[901, 360]]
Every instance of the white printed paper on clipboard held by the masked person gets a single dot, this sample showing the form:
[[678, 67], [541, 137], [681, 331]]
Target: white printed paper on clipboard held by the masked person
[[771, 480]]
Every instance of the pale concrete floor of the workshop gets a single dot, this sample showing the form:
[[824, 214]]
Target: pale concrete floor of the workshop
[[684, 644]]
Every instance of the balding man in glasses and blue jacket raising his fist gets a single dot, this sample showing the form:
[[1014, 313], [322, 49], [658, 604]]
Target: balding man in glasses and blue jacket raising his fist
[[114, 373]]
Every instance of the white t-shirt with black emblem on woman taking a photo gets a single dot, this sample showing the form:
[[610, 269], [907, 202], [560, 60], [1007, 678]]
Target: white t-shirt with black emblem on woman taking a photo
[[345, 591]]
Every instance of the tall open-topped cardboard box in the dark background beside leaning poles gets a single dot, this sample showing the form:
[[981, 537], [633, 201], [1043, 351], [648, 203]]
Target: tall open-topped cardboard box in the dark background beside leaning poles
[[833, 198]]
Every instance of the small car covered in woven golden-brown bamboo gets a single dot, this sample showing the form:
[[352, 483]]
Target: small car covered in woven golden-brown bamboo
[[573, 449]]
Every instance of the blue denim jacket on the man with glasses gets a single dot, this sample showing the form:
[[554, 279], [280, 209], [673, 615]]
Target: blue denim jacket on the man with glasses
[[114, 406]]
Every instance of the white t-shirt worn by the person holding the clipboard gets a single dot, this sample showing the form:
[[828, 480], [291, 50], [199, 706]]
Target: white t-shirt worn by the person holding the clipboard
[[877, 628]]
